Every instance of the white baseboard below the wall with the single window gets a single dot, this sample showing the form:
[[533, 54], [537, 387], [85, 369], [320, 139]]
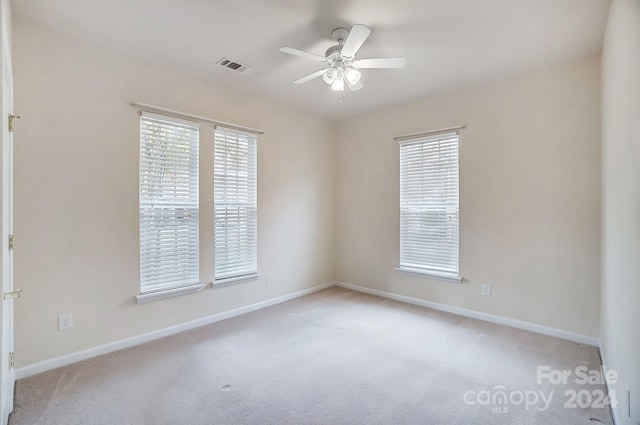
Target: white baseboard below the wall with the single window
[[558, 333]]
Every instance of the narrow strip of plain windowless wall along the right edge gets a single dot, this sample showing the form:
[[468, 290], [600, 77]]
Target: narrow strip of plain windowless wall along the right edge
[[620, 336]]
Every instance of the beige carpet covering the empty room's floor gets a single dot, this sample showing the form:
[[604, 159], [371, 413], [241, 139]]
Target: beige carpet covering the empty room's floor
[[334, 357]]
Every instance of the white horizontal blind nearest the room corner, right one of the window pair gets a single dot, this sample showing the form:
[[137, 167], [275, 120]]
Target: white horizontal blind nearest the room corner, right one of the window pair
[[235, 202]]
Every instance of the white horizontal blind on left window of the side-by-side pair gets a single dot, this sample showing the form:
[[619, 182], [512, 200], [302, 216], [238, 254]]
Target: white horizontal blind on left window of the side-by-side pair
[[168, 202]]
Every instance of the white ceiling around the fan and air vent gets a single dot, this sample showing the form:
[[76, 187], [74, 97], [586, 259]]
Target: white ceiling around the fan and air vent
[[448, 43]]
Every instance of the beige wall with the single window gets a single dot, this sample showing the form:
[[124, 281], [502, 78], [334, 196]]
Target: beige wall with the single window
[[530, 197]]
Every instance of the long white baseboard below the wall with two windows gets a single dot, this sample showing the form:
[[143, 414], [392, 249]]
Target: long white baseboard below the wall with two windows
[[67, 359]]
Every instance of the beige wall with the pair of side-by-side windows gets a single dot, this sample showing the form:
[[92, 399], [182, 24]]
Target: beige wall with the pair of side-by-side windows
[[76, 194]]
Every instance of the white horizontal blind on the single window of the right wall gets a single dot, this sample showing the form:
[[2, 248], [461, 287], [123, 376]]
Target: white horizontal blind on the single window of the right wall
[[429, 216]]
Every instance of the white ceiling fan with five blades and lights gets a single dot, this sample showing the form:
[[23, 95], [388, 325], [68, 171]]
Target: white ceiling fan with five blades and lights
[[343, 67]]
